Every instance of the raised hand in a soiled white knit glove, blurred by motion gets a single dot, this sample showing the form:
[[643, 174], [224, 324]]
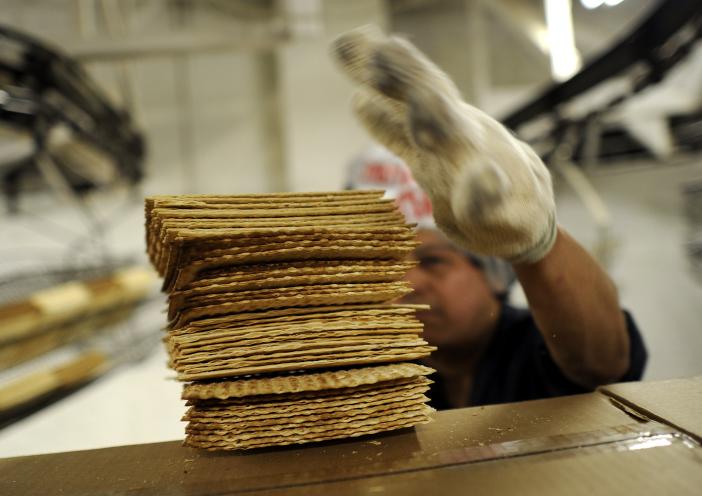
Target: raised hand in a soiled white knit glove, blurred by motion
[[491, 194]]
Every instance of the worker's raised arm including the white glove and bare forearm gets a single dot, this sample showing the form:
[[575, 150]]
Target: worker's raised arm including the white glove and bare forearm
[[491, 194]]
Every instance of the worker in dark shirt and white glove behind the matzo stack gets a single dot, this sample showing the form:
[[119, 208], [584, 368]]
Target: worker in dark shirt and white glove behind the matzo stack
[[491, 198]]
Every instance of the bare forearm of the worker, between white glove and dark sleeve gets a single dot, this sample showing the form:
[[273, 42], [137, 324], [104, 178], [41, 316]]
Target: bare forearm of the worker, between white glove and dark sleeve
[[576, 307]]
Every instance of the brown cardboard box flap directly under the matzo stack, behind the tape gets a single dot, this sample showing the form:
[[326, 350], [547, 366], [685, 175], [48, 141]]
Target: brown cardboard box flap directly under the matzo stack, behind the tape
[[455, 438]]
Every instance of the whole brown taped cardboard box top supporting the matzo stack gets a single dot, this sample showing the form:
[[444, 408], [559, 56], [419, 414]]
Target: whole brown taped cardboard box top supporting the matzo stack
[[635, 438]]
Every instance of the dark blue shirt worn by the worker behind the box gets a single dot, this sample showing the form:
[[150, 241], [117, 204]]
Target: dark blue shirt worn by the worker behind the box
[[517, 366]]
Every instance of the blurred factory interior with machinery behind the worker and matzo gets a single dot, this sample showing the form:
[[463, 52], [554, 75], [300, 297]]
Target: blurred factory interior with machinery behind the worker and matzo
[[105, 101]]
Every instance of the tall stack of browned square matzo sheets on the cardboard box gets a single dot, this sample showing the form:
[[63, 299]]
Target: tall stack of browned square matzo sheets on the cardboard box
[[266, 290]]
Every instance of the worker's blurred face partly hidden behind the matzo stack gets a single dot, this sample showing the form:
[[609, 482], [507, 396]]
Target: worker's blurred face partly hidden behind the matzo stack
[[463, 307]]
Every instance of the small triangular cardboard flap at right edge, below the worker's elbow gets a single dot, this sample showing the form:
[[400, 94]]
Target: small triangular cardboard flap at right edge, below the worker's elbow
[[676, 402]]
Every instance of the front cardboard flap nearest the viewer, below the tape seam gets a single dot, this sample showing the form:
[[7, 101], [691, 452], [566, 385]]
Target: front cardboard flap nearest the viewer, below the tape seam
[[674, 469]]
